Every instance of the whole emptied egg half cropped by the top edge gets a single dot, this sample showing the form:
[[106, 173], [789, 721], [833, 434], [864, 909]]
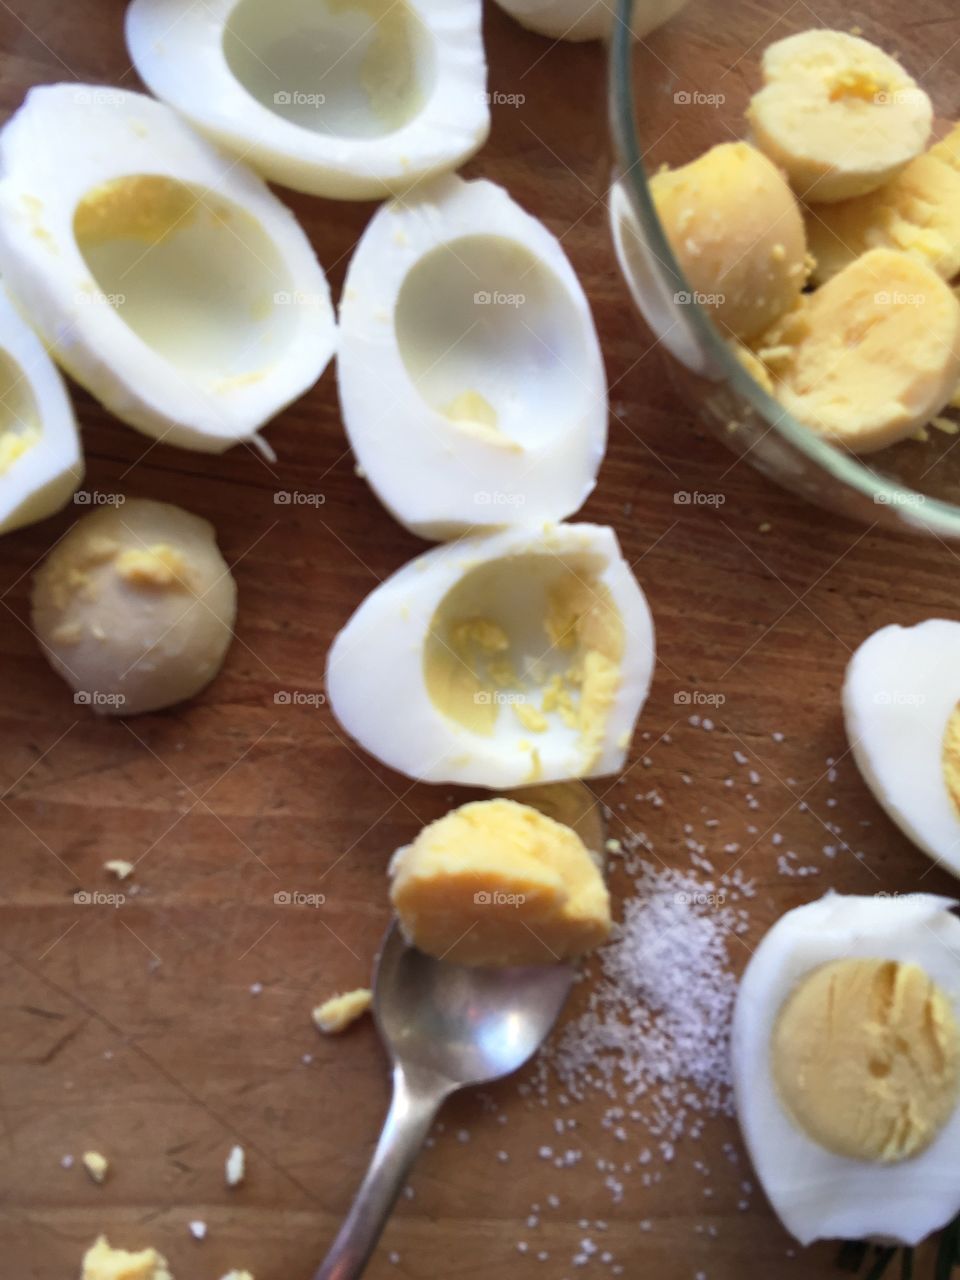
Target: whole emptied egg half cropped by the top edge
[[337, 98]]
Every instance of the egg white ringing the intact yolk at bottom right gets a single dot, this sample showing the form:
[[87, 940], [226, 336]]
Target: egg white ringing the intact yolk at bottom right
[[816, 1194]]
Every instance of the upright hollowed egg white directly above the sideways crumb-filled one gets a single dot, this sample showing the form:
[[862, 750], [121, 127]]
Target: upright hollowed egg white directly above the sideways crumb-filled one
[[470, 373]]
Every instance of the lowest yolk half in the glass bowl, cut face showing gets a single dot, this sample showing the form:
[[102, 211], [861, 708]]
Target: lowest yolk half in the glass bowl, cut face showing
[[870, 358]]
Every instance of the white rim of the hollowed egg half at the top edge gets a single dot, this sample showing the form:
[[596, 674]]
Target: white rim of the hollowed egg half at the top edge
[[180, 53]]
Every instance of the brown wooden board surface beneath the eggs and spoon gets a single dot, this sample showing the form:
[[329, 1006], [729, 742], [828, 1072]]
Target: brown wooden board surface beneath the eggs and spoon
[[135, 1031]]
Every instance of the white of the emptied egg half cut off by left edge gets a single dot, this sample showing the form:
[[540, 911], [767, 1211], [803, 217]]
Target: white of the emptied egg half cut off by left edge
[[43, 479]]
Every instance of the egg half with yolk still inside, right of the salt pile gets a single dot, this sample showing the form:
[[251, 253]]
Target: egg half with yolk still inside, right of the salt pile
[[847, 1067]]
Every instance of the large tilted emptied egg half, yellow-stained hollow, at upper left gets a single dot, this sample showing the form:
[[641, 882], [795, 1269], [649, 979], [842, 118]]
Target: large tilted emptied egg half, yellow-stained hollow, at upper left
[[163, 276]]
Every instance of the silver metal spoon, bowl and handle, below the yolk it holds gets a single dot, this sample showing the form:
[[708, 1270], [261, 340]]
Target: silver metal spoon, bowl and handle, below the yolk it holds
[[445, 1027]]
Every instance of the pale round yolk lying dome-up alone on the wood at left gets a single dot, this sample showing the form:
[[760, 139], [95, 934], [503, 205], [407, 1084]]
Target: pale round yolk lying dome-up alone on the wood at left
[[135, 607]]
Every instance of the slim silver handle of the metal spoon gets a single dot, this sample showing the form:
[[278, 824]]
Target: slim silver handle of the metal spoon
[[415, 1103]]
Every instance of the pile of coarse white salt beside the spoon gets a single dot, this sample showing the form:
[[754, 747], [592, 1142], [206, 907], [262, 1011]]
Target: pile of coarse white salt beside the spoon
[[655, 1037]]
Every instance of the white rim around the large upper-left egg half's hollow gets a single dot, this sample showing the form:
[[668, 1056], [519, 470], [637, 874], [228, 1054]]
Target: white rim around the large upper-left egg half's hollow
[[70, 139]]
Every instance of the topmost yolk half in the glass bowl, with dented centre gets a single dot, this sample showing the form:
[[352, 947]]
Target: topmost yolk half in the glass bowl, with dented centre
[[838, 115]]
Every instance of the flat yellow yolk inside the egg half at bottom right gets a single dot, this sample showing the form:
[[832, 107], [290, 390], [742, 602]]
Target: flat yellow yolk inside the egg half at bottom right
[[866, 1057]]
